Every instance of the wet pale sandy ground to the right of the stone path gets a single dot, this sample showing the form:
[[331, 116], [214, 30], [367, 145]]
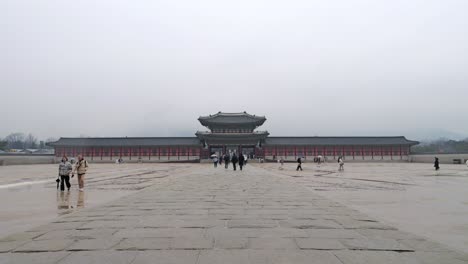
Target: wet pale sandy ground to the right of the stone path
[[410, 196]]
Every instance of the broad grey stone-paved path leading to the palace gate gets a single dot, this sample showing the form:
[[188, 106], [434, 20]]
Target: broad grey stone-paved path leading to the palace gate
[[211, 215]]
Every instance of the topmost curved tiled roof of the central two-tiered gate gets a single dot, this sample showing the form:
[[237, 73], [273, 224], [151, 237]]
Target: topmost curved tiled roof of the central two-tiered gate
[[221, 118]]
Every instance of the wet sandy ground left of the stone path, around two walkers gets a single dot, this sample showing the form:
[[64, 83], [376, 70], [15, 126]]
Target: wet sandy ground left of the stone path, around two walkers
[[30, 196]]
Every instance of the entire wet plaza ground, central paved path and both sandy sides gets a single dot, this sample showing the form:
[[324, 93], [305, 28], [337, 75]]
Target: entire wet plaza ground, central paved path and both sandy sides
[[194, 213]]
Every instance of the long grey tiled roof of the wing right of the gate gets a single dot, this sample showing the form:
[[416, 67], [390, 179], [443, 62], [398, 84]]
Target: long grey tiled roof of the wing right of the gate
[[341, 141]]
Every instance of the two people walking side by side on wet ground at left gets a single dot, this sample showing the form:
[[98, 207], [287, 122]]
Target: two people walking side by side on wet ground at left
[[66, 169]]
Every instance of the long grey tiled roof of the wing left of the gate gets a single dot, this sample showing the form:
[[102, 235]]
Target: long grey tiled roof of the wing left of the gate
[[126, 141]]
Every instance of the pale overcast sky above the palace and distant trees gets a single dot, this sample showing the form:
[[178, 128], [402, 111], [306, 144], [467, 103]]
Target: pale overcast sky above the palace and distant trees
[[317, 68]]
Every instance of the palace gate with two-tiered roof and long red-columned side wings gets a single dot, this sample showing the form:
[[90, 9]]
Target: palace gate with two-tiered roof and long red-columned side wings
[[229, 133]]
